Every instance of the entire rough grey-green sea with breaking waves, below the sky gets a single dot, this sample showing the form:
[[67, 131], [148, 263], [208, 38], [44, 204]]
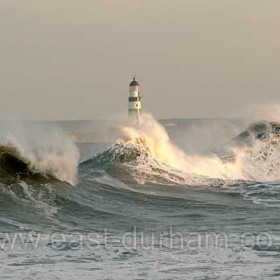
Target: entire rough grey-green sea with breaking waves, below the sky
[[163, 199]]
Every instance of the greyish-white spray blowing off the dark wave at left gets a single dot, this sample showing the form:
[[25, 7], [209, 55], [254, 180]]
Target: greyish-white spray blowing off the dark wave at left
[[45, 149]]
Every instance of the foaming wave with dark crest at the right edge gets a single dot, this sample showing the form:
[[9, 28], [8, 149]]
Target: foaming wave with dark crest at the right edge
[[256, 152]]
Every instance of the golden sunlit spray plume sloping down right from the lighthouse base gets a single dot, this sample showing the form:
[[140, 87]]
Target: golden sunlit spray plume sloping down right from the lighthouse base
[[155, 138]]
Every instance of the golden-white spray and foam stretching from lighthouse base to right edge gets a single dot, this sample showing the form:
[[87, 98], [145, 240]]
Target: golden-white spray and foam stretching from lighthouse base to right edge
[[257, 162]]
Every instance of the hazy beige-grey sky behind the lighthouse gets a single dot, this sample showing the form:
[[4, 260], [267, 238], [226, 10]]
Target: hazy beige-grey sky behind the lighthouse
[[73, 59]]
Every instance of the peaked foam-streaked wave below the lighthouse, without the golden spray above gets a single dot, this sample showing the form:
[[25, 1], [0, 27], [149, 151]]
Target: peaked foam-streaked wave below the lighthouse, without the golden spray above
[[138, 163]]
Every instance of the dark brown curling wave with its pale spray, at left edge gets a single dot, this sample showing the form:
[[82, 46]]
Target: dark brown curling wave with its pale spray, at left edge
[[33, 154]]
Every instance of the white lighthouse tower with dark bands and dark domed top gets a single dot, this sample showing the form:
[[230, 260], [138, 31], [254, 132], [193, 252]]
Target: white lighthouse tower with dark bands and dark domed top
[[134, 101]]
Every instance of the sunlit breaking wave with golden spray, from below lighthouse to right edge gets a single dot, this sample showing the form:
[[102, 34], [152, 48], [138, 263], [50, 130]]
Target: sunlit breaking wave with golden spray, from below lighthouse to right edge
[[148, 152]]
